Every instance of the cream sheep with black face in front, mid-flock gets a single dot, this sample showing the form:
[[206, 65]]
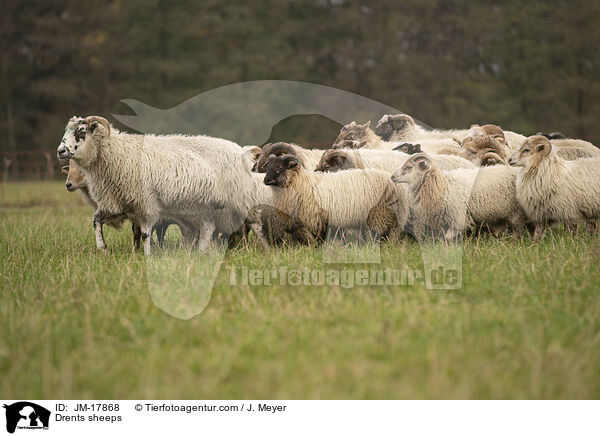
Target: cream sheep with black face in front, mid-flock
[[345, 199]]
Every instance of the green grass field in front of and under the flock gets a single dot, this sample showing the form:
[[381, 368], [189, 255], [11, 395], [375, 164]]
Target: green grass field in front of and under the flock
[[75, 323]]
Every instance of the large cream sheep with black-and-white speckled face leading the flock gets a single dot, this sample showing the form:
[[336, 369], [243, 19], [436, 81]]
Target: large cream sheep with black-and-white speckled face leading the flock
[[148, 178]]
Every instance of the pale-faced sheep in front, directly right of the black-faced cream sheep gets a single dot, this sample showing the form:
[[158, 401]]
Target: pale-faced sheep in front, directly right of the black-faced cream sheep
[[443, 204]]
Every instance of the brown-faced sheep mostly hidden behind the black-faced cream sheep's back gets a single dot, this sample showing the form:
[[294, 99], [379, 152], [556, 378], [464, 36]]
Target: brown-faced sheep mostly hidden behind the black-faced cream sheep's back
[[344, 159]]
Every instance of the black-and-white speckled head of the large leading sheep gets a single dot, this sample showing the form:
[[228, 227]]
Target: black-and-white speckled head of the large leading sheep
[[75, 143]]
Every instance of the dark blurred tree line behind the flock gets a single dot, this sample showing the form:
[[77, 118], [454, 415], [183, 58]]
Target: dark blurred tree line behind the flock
[[526, 66]]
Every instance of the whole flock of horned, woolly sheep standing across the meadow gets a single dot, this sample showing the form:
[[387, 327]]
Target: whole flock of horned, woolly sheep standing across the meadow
[[398, 179]]
